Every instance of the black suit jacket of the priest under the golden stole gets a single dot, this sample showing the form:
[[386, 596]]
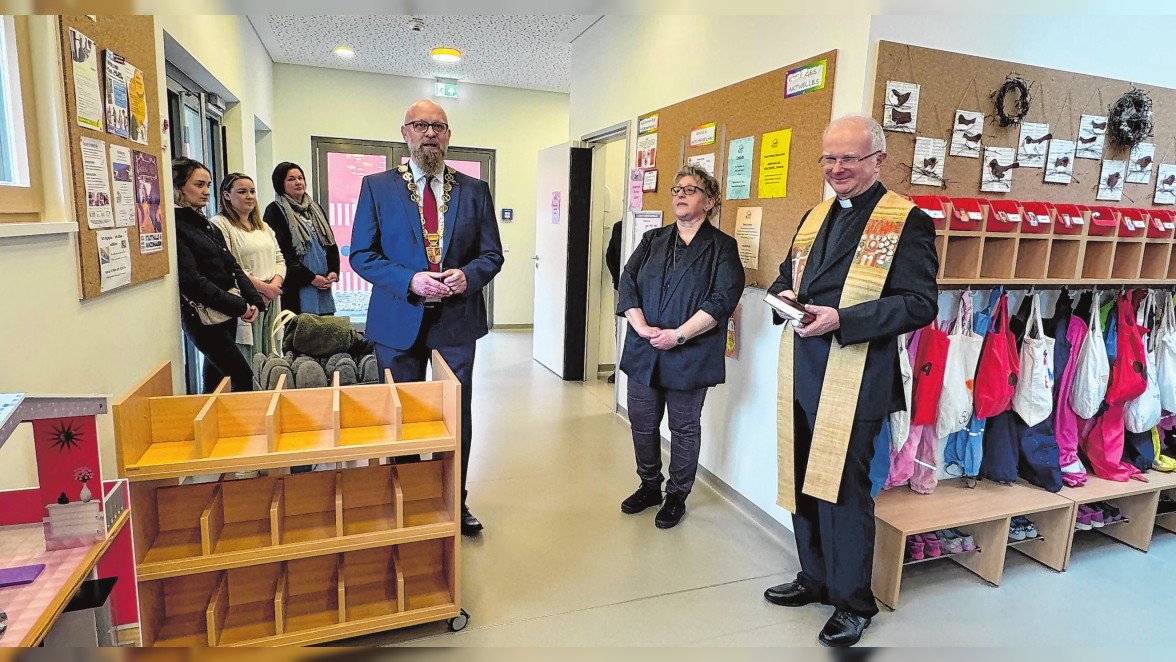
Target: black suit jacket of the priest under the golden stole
[[908, 303]]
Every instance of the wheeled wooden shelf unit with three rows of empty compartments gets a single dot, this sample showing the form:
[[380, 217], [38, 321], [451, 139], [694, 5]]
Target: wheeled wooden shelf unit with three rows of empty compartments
[[293, 559]]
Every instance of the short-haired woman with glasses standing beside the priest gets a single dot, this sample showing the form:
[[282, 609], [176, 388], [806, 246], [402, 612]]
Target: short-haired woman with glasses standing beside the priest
[[678, 291]]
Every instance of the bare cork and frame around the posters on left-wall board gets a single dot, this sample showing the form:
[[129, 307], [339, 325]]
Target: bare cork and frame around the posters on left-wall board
[[133, 38]]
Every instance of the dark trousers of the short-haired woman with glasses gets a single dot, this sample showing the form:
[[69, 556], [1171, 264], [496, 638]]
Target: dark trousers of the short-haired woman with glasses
[[646, 409]]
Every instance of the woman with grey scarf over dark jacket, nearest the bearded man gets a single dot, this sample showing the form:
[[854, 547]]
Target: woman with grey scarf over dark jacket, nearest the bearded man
[[308, 243]]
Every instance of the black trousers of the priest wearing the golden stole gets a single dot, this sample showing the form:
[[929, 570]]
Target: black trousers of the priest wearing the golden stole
[[836, 541]]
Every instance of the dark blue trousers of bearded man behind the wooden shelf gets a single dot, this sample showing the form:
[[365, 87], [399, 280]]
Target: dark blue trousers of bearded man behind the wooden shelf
[[409, 366]]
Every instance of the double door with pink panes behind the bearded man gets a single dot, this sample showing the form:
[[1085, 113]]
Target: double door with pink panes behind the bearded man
[[339, 166]]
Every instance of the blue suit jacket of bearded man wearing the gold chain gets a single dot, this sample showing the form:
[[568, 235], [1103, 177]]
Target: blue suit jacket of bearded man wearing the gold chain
[[387, 250]]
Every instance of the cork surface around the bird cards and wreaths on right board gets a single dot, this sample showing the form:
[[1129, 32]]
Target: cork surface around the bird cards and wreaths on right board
[[953, 82]]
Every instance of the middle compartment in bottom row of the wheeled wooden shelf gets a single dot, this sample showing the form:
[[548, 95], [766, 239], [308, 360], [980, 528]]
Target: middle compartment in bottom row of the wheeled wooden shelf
[[310, 594]]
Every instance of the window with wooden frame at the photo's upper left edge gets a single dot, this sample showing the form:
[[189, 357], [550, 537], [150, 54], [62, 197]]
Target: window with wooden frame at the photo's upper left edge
[[21, 196]]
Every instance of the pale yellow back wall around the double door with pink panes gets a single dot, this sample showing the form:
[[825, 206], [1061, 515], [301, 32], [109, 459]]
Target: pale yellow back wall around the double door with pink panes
[[517, 124]]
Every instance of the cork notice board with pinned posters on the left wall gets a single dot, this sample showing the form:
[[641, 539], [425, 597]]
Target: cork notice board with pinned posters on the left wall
[[116, 150]]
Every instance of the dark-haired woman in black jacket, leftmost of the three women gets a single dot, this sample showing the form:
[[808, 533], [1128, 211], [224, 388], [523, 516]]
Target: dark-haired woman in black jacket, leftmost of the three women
[[215, 292]]
